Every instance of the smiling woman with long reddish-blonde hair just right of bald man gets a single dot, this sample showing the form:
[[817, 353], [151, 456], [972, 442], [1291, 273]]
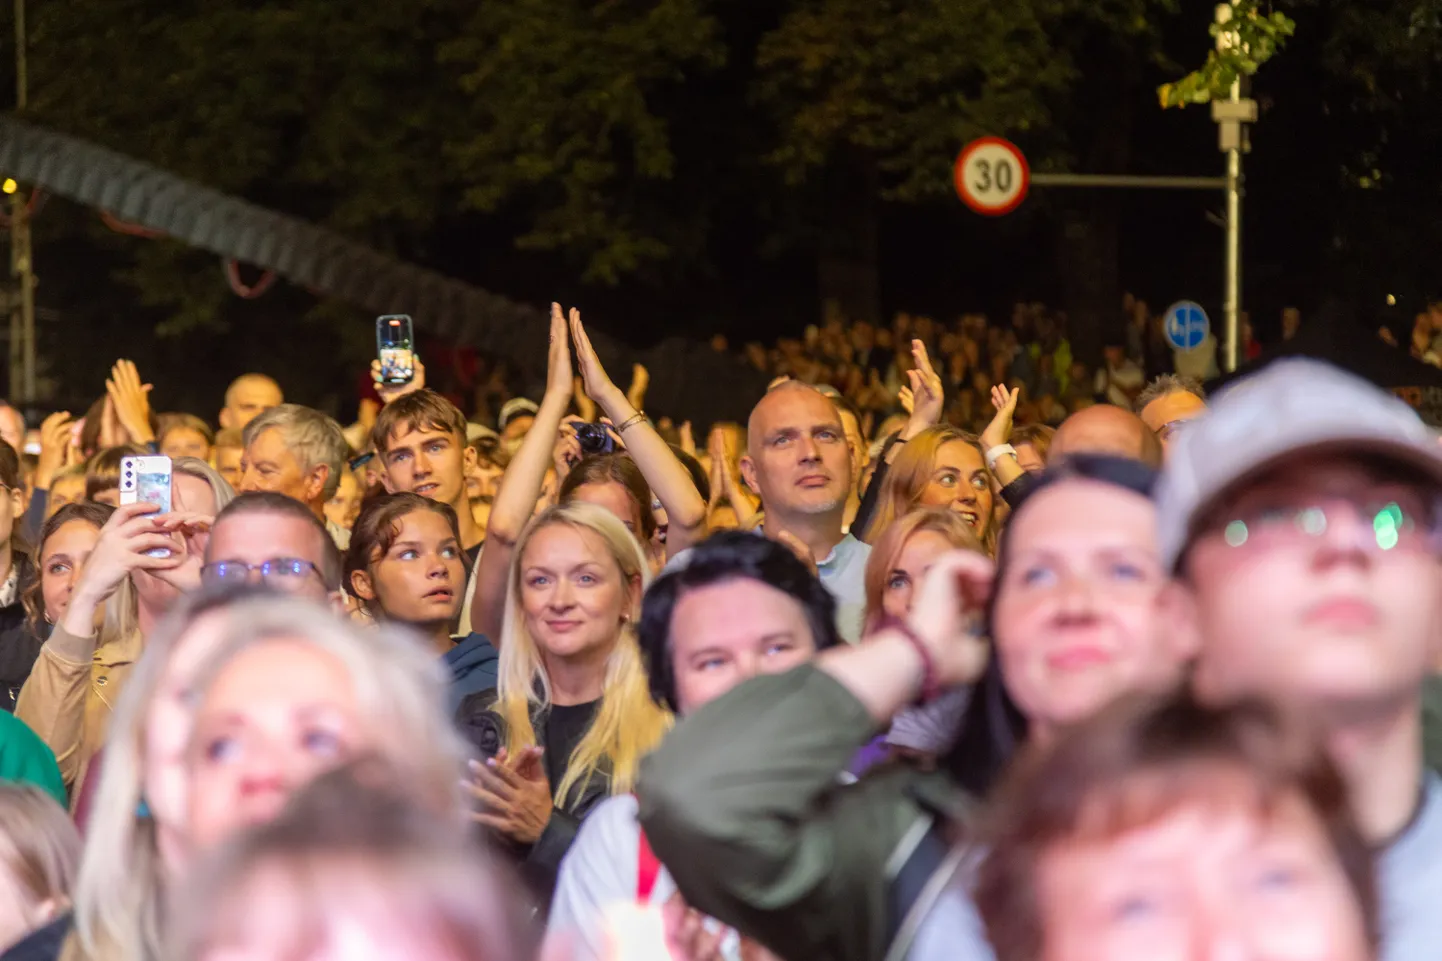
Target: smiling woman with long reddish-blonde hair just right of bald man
[[942, 467]]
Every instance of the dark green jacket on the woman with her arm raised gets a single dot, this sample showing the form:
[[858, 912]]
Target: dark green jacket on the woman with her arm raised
[[742, 804]]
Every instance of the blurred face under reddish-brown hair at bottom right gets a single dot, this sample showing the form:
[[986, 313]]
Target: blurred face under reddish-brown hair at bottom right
[[1208, 881]]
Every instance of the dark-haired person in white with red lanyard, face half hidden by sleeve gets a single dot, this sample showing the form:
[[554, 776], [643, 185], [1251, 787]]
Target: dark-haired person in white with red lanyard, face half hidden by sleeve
[[742, 607]]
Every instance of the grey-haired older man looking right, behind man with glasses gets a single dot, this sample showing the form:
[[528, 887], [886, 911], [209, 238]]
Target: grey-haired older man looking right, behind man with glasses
[[298, 452]]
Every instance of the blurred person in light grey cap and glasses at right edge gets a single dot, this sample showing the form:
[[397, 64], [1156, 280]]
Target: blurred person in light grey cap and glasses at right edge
[[1303, 520]]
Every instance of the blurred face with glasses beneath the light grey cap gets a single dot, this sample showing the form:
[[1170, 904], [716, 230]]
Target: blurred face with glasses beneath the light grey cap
[[1339, 561]]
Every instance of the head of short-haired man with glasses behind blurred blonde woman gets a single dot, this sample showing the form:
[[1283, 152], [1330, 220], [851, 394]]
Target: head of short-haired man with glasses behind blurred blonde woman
[[278, 540]]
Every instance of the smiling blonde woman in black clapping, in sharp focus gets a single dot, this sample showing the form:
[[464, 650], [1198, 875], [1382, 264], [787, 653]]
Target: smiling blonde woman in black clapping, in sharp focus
[[572, 716]]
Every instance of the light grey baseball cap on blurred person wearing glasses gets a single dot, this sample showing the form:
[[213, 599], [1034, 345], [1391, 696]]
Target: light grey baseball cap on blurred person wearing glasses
[[1290, 408]]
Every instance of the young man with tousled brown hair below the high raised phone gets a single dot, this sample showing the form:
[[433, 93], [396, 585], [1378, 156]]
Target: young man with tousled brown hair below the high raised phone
[[420, 441]]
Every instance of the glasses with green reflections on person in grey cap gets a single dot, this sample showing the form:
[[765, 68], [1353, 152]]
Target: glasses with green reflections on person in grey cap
[[1402, 520]]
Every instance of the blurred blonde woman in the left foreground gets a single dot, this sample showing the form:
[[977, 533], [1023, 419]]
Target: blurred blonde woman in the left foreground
[[142, 836]]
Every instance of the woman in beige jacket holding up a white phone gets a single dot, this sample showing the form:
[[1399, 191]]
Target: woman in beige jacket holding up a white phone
[[120, 597]]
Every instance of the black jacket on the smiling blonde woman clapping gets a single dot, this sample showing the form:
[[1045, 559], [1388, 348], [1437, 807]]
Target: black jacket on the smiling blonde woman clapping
[[541, 862]]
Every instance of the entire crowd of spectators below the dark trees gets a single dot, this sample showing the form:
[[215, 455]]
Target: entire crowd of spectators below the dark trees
[[954, 650]]
